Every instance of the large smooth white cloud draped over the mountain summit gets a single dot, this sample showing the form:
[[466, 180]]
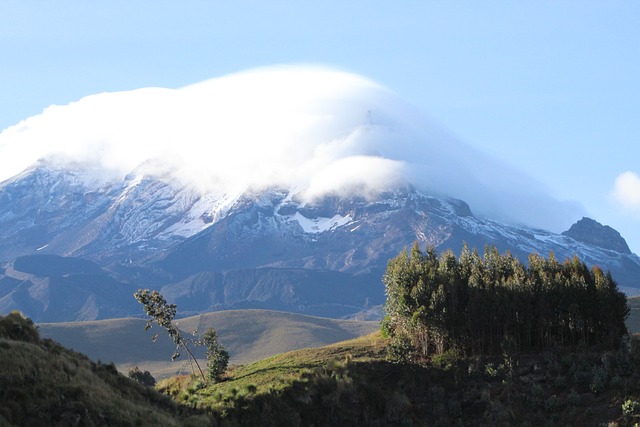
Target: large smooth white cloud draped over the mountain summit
[[312, 129]]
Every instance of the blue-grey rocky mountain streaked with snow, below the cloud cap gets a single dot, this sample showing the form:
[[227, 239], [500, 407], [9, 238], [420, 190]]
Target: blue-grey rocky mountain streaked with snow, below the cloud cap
[[76, 248]]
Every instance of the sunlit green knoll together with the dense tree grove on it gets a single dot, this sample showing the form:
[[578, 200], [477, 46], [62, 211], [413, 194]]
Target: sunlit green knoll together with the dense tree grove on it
[[482, 341]]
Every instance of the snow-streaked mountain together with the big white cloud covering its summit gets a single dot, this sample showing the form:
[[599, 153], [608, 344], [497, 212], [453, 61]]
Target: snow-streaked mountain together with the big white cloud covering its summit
[[284, 187]]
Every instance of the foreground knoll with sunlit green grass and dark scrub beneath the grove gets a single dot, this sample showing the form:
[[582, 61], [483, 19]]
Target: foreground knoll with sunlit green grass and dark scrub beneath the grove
[[351, 383]]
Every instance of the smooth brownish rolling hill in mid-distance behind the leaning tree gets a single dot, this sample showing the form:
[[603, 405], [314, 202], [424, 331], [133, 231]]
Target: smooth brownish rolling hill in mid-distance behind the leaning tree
[[248, 335]]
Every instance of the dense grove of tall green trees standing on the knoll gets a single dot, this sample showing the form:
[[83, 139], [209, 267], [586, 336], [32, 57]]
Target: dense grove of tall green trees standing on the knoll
[[478, 305]]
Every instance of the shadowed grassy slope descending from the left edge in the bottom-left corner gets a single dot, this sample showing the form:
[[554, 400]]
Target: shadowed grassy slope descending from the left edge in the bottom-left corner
[[44, 384]]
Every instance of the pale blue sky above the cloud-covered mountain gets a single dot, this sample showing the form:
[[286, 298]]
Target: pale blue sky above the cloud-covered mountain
[[551, 88]]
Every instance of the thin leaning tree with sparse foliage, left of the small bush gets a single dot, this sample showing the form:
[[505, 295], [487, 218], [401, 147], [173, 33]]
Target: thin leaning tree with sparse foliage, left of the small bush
[[162, 313]]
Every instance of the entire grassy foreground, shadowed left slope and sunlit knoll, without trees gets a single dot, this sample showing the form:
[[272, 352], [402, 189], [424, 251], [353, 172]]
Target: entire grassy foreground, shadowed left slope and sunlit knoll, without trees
[[346, 383]]
